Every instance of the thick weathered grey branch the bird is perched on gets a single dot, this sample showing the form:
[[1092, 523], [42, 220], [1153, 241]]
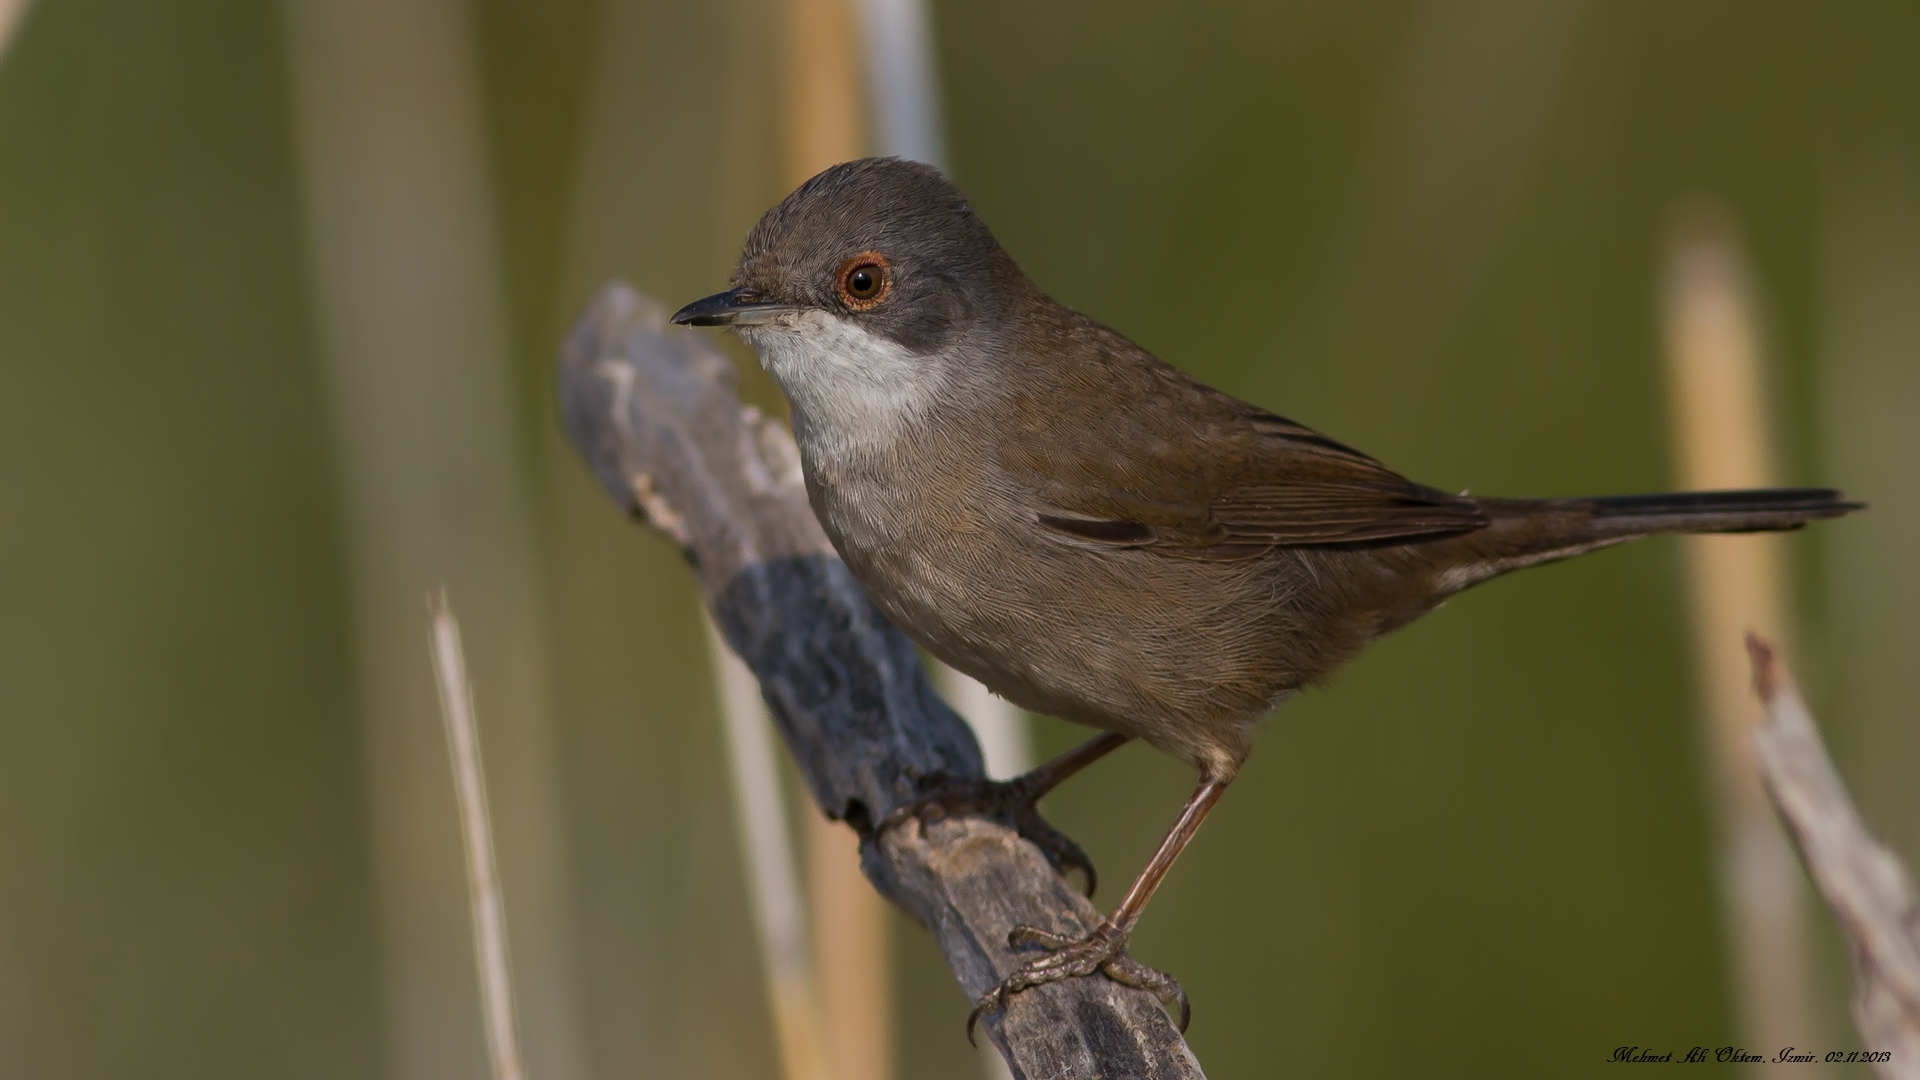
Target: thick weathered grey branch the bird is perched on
[[656, 416]]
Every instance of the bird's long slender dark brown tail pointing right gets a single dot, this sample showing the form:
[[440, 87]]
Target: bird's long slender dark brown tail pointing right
[[1525, 533]]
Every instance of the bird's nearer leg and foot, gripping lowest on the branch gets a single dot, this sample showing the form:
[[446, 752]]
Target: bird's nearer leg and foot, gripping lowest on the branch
[[1105, 950]]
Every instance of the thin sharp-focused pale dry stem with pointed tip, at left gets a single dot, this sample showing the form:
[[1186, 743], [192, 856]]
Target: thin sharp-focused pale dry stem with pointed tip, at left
[[477, 829]]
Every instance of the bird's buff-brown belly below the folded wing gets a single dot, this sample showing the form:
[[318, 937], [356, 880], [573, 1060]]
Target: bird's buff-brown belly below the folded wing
[[1184, 654]]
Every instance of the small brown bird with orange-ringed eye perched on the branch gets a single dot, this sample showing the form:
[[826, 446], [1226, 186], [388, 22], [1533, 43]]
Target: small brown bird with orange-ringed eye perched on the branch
[[1090, 531]]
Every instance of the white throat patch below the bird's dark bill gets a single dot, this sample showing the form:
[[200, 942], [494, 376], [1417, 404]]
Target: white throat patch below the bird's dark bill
[[852, 391]]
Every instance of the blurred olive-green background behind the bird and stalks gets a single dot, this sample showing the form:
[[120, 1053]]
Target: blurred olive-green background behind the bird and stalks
[[1431, 230]]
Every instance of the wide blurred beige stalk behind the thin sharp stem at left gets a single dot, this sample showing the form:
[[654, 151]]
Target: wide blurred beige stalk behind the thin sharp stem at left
[[400, 235]]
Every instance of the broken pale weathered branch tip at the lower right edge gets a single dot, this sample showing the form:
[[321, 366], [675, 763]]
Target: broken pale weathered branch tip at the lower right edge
[[1861, 879]]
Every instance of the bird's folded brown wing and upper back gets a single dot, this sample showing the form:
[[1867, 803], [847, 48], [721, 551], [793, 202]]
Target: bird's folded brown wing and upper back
[[1189, 472]]
